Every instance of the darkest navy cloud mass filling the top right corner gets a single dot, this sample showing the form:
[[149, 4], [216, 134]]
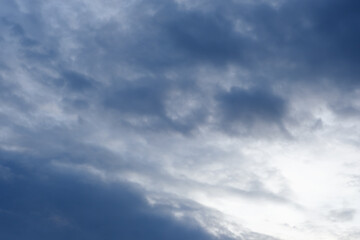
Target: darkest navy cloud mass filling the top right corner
[[313, 41]]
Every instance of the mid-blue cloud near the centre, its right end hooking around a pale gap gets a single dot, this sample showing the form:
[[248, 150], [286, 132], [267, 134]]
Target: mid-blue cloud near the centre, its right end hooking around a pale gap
[[146, 100]]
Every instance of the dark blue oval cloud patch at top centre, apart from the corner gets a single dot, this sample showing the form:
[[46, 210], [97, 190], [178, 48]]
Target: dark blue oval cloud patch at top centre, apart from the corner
[[206, 37]]
